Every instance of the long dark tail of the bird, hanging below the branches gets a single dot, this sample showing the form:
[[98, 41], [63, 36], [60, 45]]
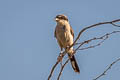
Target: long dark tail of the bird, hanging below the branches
[[74, 64]]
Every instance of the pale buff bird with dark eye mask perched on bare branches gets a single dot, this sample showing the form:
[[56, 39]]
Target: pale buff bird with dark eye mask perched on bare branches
[[65, 36]]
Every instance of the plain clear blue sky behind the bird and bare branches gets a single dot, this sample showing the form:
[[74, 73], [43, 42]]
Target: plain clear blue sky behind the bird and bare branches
[[28, 48]]
